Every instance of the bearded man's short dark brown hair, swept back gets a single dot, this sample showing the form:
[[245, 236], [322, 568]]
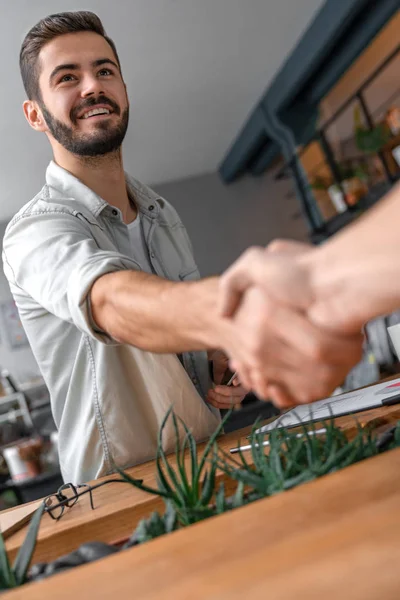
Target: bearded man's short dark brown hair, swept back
[[48, 29]]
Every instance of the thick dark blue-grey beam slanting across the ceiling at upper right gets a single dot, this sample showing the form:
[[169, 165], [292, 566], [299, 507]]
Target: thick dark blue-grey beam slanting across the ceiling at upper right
[[335, 38]]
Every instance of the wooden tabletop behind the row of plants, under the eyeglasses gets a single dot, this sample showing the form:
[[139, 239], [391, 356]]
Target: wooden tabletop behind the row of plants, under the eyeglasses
[[119, 507]]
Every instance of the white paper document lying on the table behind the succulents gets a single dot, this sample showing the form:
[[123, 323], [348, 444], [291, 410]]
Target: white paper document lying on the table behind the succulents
[[336, 406]]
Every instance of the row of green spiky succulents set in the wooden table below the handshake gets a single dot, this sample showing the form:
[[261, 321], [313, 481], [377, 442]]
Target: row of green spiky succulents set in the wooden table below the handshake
[[290, 461]]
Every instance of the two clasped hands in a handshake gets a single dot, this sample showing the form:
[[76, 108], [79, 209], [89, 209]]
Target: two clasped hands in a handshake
[[296, 325]]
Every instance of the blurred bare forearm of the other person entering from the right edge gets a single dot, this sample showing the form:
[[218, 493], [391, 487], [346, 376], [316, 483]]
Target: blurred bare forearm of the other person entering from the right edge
[[356, 274]]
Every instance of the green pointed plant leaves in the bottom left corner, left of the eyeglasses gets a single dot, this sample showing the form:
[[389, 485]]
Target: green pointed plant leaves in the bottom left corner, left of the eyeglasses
[[16, 575]]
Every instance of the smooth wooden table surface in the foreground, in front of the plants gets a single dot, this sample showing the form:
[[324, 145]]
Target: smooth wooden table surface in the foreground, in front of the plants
[[335, 537]]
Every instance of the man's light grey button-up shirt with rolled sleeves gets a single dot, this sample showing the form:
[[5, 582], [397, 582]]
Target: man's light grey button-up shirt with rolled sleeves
[[108, 399]]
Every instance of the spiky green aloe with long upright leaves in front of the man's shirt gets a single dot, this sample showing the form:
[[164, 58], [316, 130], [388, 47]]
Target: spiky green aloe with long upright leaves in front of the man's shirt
[[188, 490]]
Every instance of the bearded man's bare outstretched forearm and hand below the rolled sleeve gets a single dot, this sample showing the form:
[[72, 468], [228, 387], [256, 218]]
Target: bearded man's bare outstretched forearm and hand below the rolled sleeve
[[267, 336]]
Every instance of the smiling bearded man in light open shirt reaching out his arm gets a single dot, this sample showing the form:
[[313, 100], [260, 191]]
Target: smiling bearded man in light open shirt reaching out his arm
[[102, 271]]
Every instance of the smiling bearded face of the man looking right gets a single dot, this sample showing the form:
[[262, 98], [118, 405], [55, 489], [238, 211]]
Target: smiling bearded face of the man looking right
[[83, 96]]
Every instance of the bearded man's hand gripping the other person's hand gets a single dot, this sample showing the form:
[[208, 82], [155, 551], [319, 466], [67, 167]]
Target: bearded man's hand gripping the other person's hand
[[283, 348]]
